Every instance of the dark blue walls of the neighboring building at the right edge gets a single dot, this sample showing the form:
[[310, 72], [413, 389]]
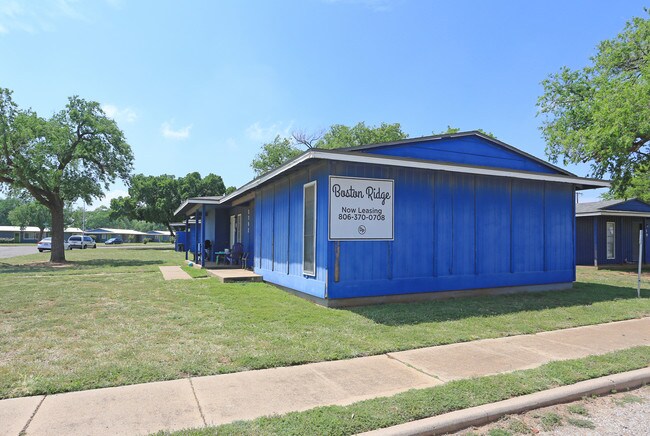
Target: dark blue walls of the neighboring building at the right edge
[[625, 242]]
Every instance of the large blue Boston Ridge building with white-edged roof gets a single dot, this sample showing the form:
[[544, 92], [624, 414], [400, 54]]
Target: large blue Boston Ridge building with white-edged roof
[[403, 220]]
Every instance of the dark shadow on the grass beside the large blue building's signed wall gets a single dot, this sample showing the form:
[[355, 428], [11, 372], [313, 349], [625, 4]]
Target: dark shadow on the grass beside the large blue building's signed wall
[[583, 294]]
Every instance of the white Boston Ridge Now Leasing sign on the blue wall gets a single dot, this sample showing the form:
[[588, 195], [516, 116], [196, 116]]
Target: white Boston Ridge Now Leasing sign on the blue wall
[[360, 209]]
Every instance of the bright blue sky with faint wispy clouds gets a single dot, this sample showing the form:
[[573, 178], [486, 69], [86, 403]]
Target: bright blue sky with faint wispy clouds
[[201, 85]]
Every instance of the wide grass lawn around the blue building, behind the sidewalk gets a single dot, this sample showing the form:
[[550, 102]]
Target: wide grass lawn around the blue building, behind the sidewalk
[[110, 319]]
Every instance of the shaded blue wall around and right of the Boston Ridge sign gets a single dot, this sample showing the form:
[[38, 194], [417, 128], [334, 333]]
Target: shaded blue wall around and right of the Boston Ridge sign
[[456, 231]]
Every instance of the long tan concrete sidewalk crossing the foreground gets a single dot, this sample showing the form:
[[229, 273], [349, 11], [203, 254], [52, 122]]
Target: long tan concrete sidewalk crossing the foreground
[[213, 400]]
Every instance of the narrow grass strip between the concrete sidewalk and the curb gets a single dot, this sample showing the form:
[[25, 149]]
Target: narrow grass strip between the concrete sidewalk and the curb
[[422, 403]]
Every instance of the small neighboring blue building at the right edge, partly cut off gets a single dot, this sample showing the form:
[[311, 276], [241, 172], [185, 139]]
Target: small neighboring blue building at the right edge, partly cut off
[[608, 232]]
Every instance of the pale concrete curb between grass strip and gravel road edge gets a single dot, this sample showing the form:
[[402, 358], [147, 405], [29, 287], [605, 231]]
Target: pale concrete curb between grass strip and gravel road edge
[[480, 415]]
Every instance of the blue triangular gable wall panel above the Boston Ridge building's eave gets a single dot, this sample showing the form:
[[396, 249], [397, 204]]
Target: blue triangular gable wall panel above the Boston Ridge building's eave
[[470, 150]]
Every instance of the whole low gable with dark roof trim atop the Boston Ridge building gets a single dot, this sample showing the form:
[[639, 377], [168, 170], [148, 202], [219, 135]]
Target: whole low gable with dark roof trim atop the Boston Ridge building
[[436, 151]]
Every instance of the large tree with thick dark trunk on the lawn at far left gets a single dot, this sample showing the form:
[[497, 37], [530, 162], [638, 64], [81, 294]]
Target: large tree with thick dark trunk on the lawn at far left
[[77, 153]]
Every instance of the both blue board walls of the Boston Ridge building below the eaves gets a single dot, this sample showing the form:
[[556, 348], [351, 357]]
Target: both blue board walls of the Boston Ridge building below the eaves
[[452, 232]]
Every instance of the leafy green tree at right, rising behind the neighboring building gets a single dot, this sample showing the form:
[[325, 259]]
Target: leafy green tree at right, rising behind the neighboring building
[[600, 114]]
